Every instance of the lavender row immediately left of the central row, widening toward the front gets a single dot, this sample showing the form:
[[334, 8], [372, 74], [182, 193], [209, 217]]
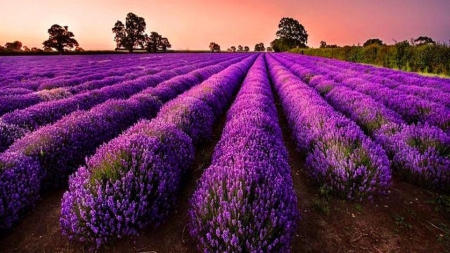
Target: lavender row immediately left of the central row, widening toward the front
[[132, 181]]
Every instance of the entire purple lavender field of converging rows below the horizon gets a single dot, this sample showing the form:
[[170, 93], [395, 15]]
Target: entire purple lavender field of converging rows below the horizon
[[119, 136]]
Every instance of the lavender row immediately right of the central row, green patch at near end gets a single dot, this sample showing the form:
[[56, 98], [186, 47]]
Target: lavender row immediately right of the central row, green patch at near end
[[339, 156]]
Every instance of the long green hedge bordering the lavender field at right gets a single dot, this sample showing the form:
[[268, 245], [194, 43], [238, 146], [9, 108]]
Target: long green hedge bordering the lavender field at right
[[426, 58]]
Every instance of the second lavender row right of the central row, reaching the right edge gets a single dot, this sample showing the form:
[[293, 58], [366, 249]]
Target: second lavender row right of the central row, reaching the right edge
[[420, 153]]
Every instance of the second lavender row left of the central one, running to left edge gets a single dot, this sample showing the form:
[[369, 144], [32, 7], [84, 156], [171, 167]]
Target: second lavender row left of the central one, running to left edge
[[45, 158]]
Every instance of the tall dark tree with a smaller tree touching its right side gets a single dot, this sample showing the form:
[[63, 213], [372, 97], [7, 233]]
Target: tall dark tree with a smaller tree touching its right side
[[131, 34]]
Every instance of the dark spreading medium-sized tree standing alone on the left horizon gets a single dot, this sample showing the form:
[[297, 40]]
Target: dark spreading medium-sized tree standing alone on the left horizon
[[60, 38]]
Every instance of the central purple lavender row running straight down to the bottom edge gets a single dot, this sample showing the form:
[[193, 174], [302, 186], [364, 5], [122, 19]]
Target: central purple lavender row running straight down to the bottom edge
[[245, 201]]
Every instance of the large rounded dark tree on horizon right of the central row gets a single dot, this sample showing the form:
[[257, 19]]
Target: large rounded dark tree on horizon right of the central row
[[291, 34]]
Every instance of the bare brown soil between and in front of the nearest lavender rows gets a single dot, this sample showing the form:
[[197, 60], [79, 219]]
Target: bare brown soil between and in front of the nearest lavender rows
[[409, 219]]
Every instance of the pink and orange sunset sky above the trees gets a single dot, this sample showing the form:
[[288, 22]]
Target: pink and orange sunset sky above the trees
[[193, 24]]
